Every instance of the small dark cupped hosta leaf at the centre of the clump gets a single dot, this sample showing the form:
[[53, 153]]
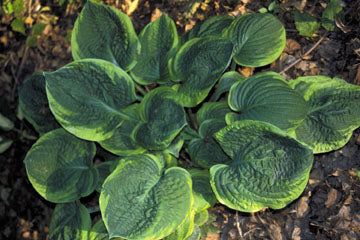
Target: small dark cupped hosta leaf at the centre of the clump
[[162, 119]]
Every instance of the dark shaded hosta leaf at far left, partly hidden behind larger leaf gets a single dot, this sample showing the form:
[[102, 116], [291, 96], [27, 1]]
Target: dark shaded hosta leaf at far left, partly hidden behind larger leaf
[[34, 104]]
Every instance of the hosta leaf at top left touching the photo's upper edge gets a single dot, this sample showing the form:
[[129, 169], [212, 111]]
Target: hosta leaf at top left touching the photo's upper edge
[[105, 33]]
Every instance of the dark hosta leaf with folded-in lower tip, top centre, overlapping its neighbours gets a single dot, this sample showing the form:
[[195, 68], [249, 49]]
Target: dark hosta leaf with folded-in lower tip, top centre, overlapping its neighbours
[[197, 66]]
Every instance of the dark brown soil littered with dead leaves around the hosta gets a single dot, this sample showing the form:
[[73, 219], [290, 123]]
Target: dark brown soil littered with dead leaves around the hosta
[[329, 208]]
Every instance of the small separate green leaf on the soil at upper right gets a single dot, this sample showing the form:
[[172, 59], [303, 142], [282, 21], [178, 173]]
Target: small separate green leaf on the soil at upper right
[[306, 24]]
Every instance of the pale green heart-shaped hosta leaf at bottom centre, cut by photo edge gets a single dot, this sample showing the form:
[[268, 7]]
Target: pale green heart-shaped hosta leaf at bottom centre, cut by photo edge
[[142, 200]]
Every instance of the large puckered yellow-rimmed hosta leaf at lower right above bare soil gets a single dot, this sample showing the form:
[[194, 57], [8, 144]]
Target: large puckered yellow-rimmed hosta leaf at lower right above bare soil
[[269, 167]]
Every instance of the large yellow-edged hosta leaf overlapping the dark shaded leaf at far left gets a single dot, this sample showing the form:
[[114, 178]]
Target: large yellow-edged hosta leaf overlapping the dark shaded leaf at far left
[[87, 97]]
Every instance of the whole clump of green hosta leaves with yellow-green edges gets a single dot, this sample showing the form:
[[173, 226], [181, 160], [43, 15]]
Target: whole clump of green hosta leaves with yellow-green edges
[[153, 98]]
